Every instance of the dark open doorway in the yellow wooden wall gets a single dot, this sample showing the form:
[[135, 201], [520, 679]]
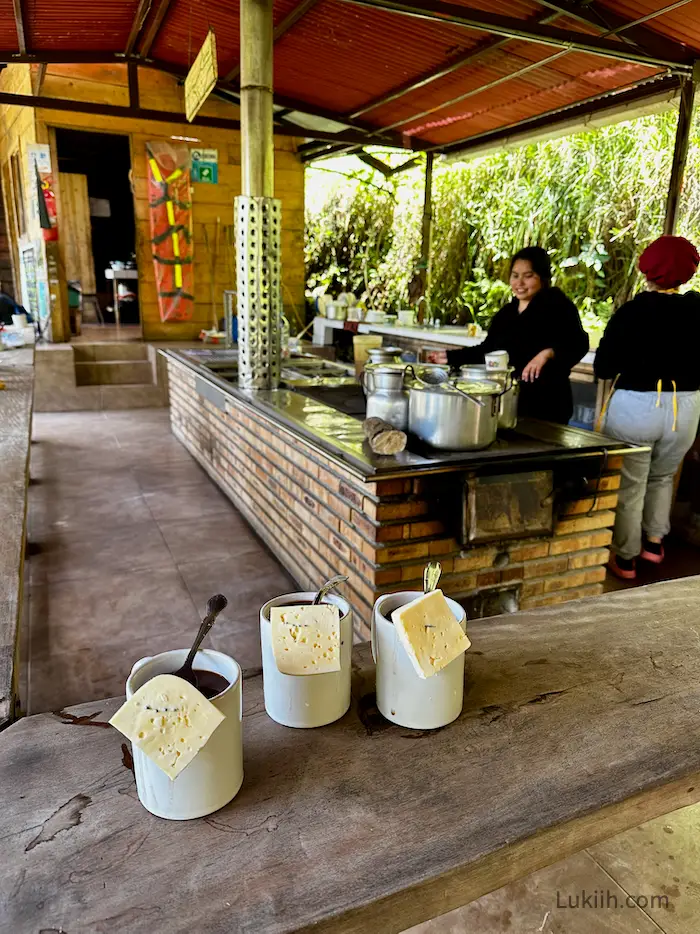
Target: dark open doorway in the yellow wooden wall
[[99, 230]]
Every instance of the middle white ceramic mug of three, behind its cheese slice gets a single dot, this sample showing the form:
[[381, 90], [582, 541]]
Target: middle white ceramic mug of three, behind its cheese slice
[[306, 700]]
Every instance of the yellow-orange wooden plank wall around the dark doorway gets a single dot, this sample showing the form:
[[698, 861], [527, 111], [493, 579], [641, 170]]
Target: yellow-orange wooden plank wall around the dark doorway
[[108, 84]]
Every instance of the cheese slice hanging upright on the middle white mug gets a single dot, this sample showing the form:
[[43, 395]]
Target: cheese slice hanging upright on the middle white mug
[[306, 639]]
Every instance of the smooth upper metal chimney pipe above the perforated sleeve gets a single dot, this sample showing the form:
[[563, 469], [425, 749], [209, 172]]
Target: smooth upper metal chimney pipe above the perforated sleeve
[[257, 146]]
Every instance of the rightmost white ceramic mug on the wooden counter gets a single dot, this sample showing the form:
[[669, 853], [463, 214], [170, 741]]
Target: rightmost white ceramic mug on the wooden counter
[[402, 695]]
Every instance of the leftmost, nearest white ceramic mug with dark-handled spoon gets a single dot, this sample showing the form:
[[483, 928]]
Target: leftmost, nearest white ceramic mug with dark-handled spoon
[[214, 776]]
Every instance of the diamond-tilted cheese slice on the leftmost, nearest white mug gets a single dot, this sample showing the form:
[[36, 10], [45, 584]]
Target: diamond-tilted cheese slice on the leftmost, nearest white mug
[[169, 720]]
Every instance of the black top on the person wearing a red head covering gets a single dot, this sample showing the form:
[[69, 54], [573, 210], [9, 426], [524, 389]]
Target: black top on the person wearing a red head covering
[[654, 337]]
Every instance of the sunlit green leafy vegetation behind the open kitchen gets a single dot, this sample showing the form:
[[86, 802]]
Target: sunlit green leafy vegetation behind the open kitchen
[[593, 200]]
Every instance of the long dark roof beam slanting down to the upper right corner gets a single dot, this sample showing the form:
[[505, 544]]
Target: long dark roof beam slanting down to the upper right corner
[[442, 11]]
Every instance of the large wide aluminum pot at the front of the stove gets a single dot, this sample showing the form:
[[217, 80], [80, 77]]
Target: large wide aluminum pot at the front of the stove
[[445, 417]]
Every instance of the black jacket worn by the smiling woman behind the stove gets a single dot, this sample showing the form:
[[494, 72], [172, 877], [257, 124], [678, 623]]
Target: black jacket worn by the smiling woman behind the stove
[[550, 320]]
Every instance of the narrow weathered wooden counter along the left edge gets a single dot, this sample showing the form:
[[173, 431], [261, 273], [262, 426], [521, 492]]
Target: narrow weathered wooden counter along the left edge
[[17, 373]]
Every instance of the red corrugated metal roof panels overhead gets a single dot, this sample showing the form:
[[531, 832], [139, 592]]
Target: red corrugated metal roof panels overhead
[[340, 58]]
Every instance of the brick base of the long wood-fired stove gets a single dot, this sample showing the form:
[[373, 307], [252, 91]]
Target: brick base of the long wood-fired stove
[[321, 519]]
